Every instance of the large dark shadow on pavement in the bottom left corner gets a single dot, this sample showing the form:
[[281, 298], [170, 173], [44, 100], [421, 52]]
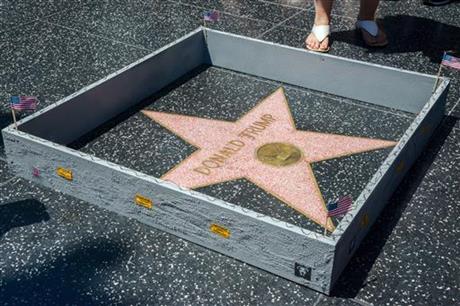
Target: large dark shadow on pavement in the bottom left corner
[[67, 279]]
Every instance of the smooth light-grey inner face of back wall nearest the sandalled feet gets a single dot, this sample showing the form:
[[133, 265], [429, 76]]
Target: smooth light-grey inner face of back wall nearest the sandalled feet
[[395, 88]]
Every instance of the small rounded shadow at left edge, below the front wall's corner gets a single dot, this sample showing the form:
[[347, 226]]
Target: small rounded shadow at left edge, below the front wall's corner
[[21, 213]]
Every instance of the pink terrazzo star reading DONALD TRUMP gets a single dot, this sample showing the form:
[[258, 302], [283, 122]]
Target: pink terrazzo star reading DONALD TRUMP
[[227, 151]]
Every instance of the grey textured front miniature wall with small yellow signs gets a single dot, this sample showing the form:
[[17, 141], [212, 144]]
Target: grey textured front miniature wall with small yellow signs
[[259, 240]]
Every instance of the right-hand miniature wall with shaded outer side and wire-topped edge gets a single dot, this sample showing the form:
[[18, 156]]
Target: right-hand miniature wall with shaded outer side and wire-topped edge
[[354, 227]]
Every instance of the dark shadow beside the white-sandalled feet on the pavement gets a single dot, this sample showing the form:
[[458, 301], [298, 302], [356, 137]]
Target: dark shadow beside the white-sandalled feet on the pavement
[[411, 34]]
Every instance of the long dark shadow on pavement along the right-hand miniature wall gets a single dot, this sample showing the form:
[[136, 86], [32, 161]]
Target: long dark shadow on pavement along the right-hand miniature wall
[[355, 275]]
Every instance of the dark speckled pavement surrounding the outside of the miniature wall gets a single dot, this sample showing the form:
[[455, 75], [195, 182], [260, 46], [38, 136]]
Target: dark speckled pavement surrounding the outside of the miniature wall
[[58, 250]]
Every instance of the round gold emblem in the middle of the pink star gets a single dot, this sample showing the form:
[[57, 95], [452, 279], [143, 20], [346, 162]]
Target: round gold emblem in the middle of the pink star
[[278, 154]]
